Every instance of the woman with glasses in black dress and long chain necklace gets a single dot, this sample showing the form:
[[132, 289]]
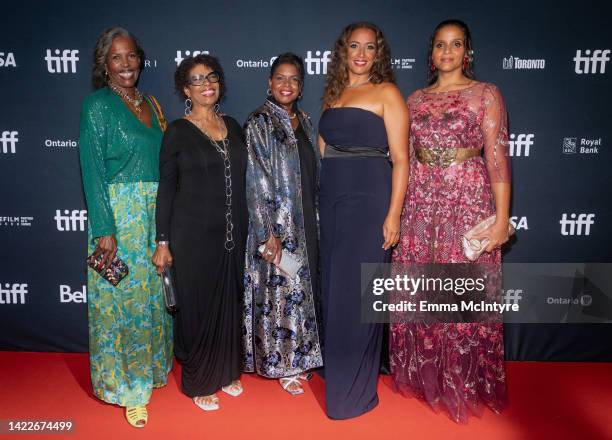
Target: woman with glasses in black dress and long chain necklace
[[201, 231]]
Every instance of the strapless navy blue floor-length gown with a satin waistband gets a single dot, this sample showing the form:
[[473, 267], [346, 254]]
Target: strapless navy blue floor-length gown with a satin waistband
[[355, 188]]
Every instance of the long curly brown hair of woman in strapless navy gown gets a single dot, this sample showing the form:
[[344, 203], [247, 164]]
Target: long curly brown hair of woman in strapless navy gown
[[337, 72]]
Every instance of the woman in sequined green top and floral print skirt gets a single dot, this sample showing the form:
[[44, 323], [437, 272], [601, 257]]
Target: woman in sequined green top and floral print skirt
[[130, 333]]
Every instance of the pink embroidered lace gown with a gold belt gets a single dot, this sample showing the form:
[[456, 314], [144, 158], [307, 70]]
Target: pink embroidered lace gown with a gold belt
[[454, 367]]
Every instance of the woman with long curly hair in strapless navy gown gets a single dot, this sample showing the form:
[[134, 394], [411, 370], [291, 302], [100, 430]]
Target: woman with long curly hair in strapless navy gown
[[364, 143]]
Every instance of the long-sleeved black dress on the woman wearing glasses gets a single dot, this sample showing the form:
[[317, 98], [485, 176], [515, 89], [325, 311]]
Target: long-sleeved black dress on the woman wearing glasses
[[191, 208]]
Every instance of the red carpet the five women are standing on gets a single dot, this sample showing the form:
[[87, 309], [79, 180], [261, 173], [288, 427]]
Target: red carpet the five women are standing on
[[547, 401]]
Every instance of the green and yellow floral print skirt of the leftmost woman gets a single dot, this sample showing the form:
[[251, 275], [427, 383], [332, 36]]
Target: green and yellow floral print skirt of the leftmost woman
[[130, 332]]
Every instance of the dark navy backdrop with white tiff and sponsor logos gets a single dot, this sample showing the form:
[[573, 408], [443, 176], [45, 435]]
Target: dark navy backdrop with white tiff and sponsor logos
[[551, 60]]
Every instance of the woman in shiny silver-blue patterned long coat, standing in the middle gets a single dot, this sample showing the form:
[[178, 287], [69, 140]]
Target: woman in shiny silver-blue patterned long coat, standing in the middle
[[281, 335]]
